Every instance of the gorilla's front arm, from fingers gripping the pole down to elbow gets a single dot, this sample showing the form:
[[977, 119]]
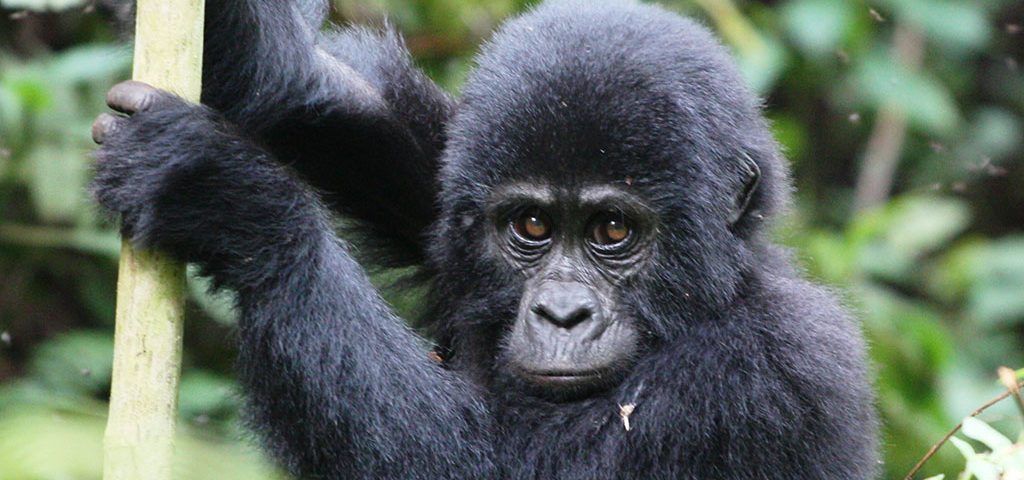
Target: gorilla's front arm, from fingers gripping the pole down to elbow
[[337, 385]]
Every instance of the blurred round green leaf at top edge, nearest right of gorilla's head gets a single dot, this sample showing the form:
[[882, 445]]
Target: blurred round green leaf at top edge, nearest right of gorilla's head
[[818, 27]]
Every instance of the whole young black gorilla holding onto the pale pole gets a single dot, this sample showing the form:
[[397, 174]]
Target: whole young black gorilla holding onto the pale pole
[[590, 220]]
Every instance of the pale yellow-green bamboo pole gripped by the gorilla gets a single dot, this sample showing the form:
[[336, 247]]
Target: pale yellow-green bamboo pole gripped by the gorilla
[[139, 442]]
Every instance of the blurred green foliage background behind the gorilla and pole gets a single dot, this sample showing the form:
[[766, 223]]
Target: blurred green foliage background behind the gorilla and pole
[[903, 120]]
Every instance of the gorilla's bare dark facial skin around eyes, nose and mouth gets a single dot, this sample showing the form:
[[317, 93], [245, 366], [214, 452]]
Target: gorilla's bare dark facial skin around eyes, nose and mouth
[[576, 247]]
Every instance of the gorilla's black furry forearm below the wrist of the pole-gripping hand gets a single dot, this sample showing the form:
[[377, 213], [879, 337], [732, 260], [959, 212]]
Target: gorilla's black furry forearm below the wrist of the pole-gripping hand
[[343, 390]]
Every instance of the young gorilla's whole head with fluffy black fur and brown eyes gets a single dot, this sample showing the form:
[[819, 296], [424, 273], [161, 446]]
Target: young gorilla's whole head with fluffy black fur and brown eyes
[[608, 176]]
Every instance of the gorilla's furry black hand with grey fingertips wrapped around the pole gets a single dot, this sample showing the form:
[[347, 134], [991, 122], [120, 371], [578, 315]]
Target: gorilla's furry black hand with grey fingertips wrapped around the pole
[[185, 181]]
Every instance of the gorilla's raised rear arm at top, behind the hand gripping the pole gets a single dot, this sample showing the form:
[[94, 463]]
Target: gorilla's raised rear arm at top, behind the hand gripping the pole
[[349, 111]]
